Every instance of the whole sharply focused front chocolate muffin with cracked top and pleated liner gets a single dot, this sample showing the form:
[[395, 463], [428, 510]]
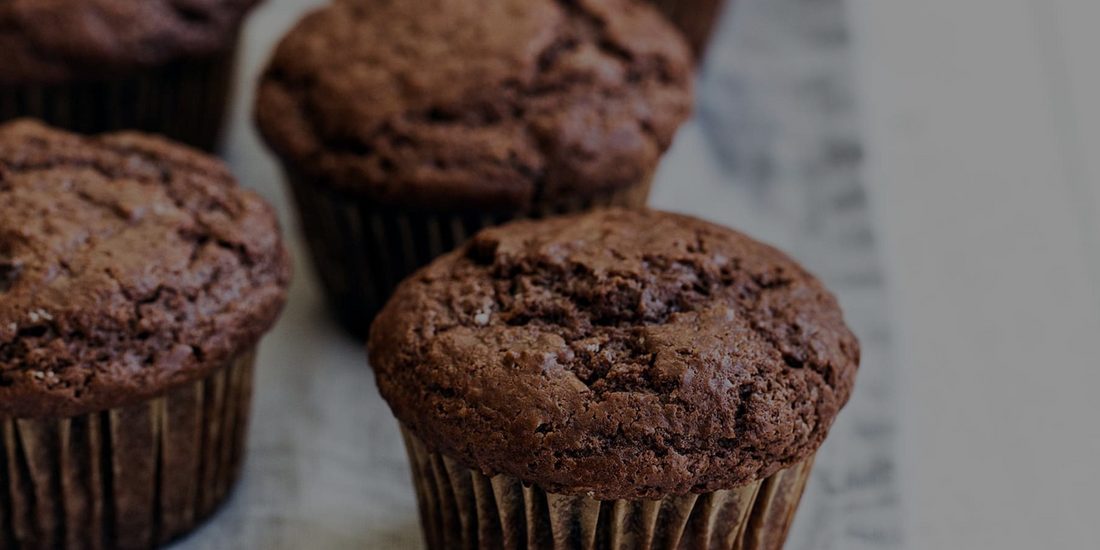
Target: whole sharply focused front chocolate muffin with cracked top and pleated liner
[[615, 380]]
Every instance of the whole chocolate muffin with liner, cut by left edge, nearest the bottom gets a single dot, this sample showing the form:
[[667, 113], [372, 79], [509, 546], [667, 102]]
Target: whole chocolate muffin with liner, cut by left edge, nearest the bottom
[[136, 282]]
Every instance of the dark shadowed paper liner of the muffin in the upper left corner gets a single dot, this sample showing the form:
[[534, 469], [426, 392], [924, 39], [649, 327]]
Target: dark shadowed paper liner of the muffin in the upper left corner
[[184, 101]]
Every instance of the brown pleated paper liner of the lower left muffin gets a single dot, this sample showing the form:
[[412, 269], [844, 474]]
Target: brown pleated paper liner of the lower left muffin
[[126, 479]]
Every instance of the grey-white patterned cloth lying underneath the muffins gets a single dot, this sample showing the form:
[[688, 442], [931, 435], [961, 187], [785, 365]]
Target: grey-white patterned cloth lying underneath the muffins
[[775, 151]]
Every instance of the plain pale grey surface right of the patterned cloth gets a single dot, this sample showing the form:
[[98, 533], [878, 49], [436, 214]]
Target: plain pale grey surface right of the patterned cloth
[[984, 133]]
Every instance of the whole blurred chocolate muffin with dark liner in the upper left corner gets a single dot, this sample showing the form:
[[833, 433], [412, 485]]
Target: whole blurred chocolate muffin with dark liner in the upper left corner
[[95, 67]]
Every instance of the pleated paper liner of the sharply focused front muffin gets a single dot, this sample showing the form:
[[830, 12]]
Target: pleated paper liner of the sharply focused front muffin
[[463, 509]]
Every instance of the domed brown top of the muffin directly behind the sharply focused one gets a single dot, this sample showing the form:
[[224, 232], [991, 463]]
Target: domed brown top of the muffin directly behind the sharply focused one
[[477, 104]]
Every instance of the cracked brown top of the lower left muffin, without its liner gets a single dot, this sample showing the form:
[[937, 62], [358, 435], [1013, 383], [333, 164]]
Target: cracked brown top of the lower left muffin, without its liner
[[128, 267]]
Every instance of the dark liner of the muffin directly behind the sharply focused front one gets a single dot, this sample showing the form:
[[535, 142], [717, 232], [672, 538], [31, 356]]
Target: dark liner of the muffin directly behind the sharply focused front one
[[362, 250]]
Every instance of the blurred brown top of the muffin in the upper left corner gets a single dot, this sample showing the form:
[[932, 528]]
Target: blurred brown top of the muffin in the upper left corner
[[57, 40]]
